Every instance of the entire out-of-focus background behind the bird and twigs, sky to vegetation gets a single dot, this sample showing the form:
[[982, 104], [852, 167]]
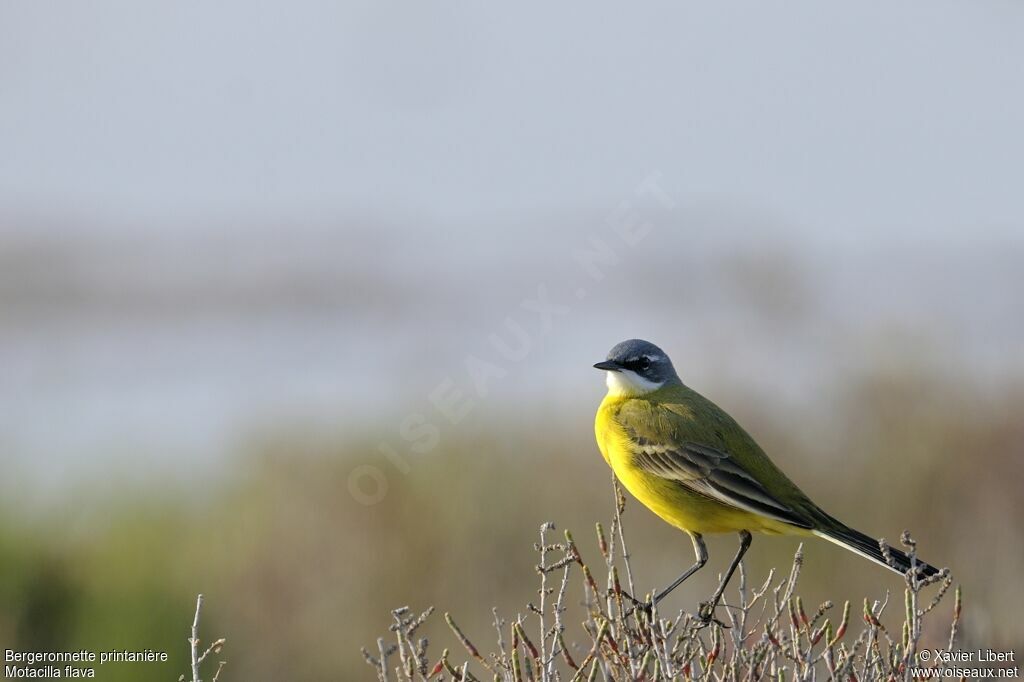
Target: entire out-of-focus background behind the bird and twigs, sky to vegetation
[[298, 303]]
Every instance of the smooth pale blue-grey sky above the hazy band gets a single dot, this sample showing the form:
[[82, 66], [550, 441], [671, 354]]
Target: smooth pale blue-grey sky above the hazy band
[[867, 118]]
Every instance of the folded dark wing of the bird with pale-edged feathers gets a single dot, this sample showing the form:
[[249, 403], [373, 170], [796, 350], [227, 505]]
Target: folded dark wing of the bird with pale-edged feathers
[[713, 474]]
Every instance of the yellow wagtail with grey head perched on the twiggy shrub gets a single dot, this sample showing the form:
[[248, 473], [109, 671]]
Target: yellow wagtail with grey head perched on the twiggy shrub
[[696, 467]]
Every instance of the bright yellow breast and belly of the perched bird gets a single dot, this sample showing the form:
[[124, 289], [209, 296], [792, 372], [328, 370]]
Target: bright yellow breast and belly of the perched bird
[[672, 501]]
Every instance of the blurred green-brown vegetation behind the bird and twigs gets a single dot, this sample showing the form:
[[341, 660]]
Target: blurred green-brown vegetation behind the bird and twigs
[[298, 575]]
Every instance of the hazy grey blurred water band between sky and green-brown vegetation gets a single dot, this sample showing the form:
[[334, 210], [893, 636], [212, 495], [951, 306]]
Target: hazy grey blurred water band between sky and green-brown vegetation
[[153, 354]]
